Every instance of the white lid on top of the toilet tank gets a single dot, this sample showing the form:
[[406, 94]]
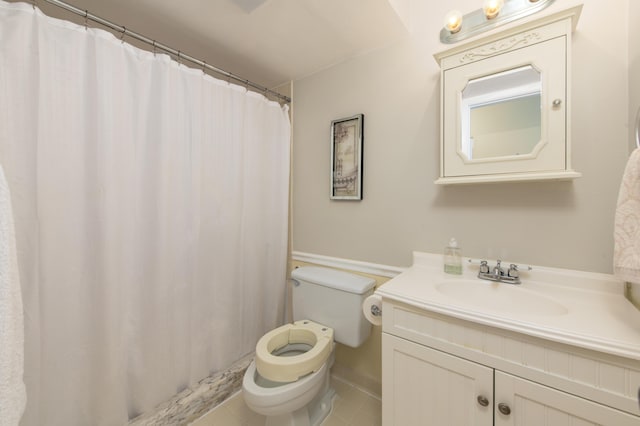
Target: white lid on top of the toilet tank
[[339, 280]]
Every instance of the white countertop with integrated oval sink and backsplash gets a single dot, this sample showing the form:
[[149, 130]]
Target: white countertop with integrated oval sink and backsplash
[[583, 309]]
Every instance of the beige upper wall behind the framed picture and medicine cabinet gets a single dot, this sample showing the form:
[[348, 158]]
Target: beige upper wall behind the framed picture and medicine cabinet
[[559, 224]]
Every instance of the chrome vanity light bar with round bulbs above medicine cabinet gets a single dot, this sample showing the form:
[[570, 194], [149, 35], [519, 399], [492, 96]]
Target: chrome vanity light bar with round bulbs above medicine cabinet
[[493, 14]]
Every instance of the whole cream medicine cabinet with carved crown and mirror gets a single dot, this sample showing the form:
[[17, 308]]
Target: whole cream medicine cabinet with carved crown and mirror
[[505, 104]]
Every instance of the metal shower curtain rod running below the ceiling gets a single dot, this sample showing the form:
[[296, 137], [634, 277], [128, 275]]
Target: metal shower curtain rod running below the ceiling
[[159, 46]]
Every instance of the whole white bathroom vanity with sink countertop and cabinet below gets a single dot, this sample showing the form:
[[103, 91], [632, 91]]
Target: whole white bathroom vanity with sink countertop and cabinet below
[[562, 348]]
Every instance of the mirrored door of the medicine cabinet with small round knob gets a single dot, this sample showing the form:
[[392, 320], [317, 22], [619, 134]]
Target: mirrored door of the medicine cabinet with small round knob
[[511, 111]]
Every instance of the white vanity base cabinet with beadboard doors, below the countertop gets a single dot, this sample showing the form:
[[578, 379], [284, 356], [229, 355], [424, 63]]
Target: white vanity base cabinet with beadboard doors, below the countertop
[[440, 370]]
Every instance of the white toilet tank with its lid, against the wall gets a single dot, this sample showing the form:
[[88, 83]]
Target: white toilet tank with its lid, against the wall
[[332, 298]]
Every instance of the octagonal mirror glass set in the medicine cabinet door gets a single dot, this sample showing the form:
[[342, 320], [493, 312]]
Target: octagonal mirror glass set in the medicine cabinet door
[[501, 114]]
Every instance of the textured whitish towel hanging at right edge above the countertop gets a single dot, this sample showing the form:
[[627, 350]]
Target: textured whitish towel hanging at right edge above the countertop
[[626, 253]]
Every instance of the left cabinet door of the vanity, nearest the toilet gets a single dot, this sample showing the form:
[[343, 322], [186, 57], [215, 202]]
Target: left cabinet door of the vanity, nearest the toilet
[[423, 386]]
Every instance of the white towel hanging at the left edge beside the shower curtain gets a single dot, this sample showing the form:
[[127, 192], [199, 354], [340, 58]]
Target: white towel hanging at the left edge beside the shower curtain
[[13, 396]]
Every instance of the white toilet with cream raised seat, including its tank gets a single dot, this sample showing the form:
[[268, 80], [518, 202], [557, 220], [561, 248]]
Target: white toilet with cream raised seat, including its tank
[[288, 381]]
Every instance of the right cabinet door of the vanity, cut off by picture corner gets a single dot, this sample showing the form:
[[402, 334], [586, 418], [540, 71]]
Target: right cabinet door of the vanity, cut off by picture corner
[[529, 404]]
